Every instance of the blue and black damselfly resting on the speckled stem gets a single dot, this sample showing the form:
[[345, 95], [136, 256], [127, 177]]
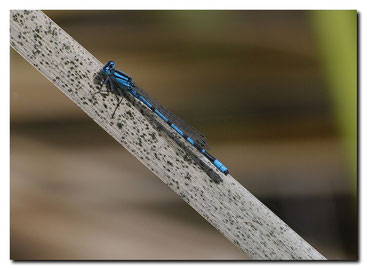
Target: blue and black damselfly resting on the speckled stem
[[117, 82]]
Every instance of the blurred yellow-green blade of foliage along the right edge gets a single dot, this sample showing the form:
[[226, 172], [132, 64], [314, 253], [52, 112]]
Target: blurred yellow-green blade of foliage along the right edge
[[336, 33]]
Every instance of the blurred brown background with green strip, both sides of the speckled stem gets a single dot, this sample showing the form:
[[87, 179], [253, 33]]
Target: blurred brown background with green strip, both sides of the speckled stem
[[273, 91]]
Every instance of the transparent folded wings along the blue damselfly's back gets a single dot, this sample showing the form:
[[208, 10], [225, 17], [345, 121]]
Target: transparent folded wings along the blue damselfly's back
[[199, 138]]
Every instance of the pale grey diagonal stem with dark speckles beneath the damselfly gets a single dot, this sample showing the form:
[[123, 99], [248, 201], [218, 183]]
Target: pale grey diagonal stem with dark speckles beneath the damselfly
[[227, 205]]
